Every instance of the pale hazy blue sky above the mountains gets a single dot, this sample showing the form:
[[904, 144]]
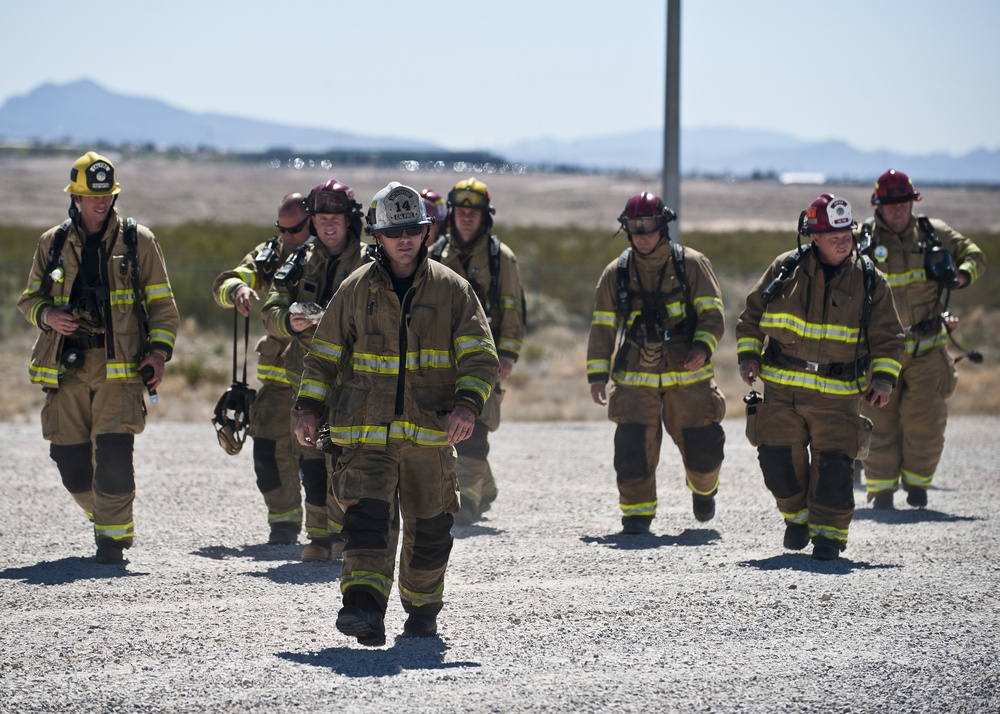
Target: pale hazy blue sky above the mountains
[[914, 76]]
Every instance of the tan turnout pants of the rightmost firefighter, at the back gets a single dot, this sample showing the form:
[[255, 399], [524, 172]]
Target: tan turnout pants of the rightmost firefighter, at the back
[[908, 437]]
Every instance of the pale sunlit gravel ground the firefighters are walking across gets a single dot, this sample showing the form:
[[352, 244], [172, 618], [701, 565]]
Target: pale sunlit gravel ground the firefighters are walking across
[[548, 608]]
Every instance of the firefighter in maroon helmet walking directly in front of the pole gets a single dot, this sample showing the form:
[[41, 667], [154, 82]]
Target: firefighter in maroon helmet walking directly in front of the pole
[[666, 303]]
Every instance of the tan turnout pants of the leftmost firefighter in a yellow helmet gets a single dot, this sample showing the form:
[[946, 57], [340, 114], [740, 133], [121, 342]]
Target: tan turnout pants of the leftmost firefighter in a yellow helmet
[[91, 423]]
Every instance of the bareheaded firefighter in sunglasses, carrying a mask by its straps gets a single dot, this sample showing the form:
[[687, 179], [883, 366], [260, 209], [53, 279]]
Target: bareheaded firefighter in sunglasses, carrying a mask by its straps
[[274, 459]]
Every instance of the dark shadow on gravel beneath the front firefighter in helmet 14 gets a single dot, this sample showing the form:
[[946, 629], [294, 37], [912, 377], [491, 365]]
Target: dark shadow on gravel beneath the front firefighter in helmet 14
[[405, 654]]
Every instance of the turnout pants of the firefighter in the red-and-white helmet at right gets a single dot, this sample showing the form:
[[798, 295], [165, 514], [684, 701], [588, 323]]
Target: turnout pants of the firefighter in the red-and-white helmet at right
[[806, 444]]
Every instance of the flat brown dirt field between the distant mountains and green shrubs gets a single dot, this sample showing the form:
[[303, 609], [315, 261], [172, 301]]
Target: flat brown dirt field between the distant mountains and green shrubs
[[159, 192]]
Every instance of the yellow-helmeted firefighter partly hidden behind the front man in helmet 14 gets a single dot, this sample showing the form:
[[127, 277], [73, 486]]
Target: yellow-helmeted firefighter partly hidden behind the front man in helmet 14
[[470, 249]]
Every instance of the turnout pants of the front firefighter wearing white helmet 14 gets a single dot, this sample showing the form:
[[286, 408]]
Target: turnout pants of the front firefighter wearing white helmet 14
[[379, 487]]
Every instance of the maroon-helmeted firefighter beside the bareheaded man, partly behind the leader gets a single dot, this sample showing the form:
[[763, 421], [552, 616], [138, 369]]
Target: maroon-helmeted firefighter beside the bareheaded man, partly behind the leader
[[303, 286]]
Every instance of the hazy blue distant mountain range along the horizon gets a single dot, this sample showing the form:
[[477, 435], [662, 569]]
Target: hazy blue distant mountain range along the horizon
[[100, 115]]
